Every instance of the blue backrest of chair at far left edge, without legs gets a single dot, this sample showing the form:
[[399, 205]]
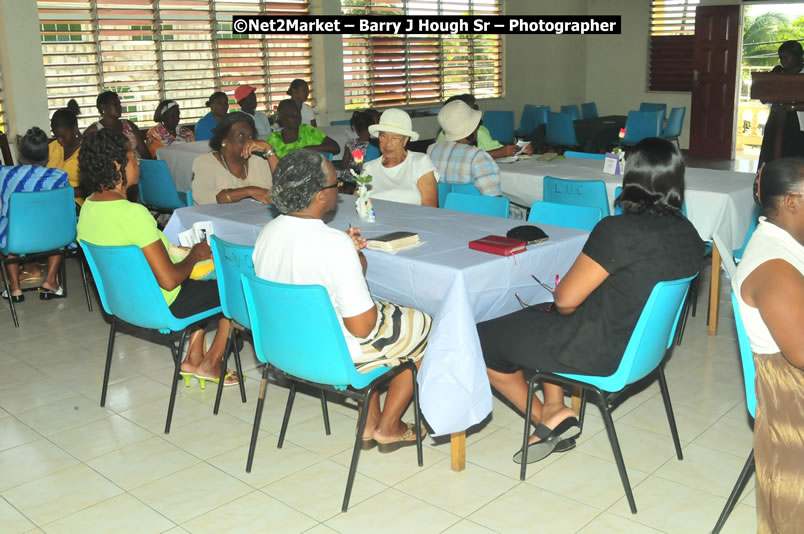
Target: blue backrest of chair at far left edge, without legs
[[39, 221]]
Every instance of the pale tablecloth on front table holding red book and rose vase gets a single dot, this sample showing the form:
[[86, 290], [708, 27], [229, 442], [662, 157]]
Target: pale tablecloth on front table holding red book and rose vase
[[443, 277]]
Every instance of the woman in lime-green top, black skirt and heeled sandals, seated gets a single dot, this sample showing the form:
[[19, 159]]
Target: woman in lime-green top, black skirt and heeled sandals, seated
[[108, 167]]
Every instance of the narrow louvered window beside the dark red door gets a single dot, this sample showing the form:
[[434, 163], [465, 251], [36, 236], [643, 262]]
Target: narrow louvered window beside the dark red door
[[672, 34]]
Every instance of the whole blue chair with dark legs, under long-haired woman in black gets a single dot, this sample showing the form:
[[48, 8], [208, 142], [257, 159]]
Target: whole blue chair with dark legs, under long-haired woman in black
[[650, 341]]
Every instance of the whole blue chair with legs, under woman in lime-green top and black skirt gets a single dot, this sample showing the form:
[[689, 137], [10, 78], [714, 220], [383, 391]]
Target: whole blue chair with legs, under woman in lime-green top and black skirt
[[137, 300]]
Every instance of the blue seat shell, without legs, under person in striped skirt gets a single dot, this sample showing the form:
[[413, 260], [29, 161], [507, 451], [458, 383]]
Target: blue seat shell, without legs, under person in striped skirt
[[296, 330]]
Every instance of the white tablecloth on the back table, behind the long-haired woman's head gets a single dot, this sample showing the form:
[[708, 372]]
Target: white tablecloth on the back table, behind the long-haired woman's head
[[717, 201]]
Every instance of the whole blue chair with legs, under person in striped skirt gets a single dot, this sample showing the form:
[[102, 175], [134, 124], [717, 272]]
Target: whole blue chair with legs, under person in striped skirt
[[296, 331]]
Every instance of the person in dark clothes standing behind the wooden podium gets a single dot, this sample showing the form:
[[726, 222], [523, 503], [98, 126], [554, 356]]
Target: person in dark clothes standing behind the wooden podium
[[788, 117]]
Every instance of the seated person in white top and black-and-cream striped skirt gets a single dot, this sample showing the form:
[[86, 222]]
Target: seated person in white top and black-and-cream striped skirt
[[298, 248]]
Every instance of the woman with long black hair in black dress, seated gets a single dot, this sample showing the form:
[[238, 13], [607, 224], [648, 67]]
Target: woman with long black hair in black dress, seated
[[599, 301]]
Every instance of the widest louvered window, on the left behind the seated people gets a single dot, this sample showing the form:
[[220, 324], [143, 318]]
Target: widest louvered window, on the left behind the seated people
[[150, 50]]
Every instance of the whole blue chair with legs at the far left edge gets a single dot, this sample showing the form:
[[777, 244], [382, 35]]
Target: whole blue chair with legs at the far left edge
[[40, 223]]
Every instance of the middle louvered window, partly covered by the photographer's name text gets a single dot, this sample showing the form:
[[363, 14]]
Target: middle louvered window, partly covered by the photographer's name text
[[393, 70]]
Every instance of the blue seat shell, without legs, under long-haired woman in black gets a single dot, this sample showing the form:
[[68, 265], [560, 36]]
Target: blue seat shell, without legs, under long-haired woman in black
[[652, 336]]
